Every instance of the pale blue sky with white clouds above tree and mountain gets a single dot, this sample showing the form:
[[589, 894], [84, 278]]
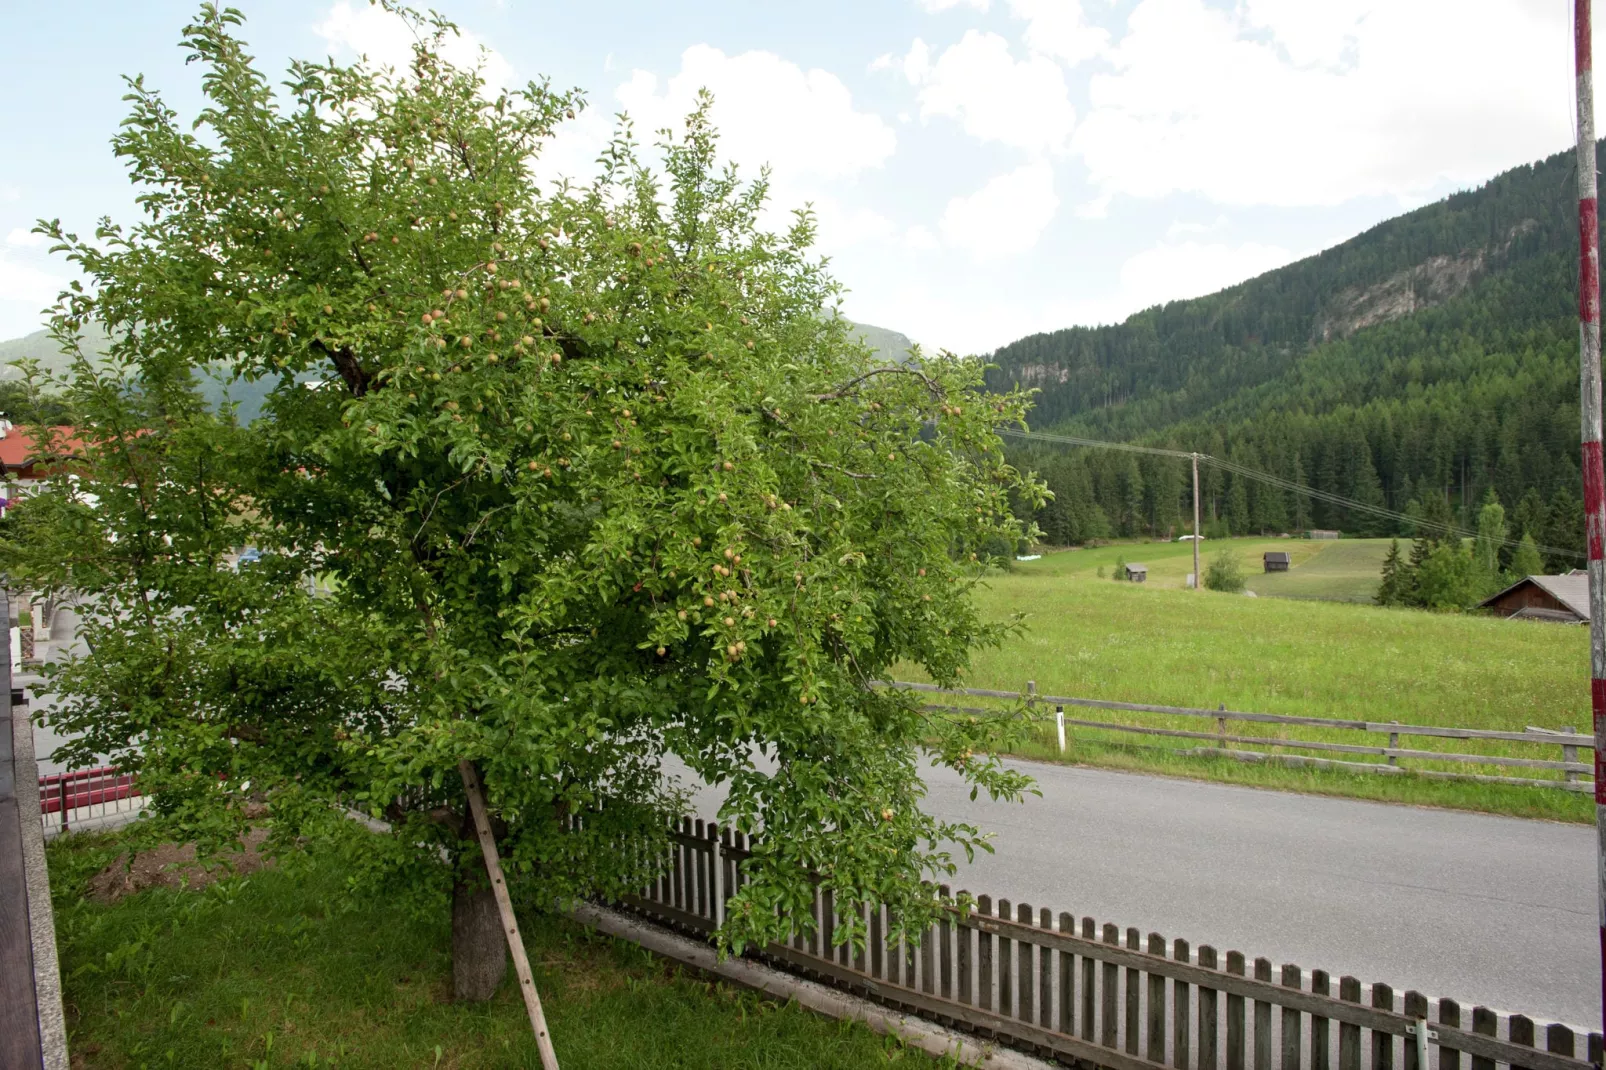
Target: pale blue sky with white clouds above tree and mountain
[[980, 169]]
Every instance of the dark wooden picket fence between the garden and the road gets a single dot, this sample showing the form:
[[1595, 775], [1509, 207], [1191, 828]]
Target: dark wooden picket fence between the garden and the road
[[1091, 995]]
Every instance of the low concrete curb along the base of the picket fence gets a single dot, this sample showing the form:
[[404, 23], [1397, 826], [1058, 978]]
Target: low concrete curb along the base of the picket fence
[[918, 1032]]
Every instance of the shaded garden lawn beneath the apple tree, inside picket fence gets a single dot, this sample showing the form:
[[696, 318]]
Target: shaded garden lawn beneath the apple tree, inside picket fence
[[261, 973]]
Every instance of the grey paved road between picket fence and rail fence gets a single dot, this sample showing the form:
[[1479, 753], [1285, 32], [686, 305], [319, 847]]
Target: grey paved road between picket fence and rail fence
[[1493, 912]]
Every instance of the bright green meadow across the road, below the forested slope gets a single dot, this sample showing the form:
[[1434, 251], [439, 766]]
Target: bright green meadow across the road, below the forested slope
[[1162, 645]]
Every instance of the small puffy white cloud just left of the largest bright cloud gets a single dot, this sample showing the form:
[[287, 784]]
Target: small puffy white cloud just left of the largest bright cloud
[[992, 96]]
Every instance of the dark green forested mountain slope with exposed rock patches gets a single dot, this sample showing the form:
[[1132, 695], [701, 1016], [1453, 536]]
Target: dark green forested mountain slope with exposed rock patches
[[1419, 366]]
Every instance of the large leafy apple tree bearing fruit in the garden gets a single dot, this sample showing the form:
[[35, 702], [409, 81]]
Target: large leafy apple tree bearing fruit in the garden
[[584, 476]]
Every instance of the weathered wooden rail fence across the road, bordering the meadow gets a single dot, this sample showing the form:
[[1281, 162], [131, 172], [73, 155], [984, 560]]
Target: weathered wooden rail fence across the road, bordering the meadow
[[1571, 767]]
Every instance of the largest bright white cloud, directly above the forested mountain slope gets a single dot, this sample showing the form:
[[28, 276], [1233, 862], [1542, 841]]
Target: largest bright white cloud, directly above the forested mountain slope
[[1297, 104]]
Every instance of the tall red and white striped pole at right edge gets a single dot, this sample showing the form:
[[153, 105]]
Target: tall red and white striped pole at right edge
[[1591, 419]]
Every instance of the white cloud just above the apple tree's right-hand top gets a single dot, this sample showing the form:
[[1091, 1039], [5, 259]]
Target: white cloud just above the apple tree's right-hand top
[[768, 112]]
